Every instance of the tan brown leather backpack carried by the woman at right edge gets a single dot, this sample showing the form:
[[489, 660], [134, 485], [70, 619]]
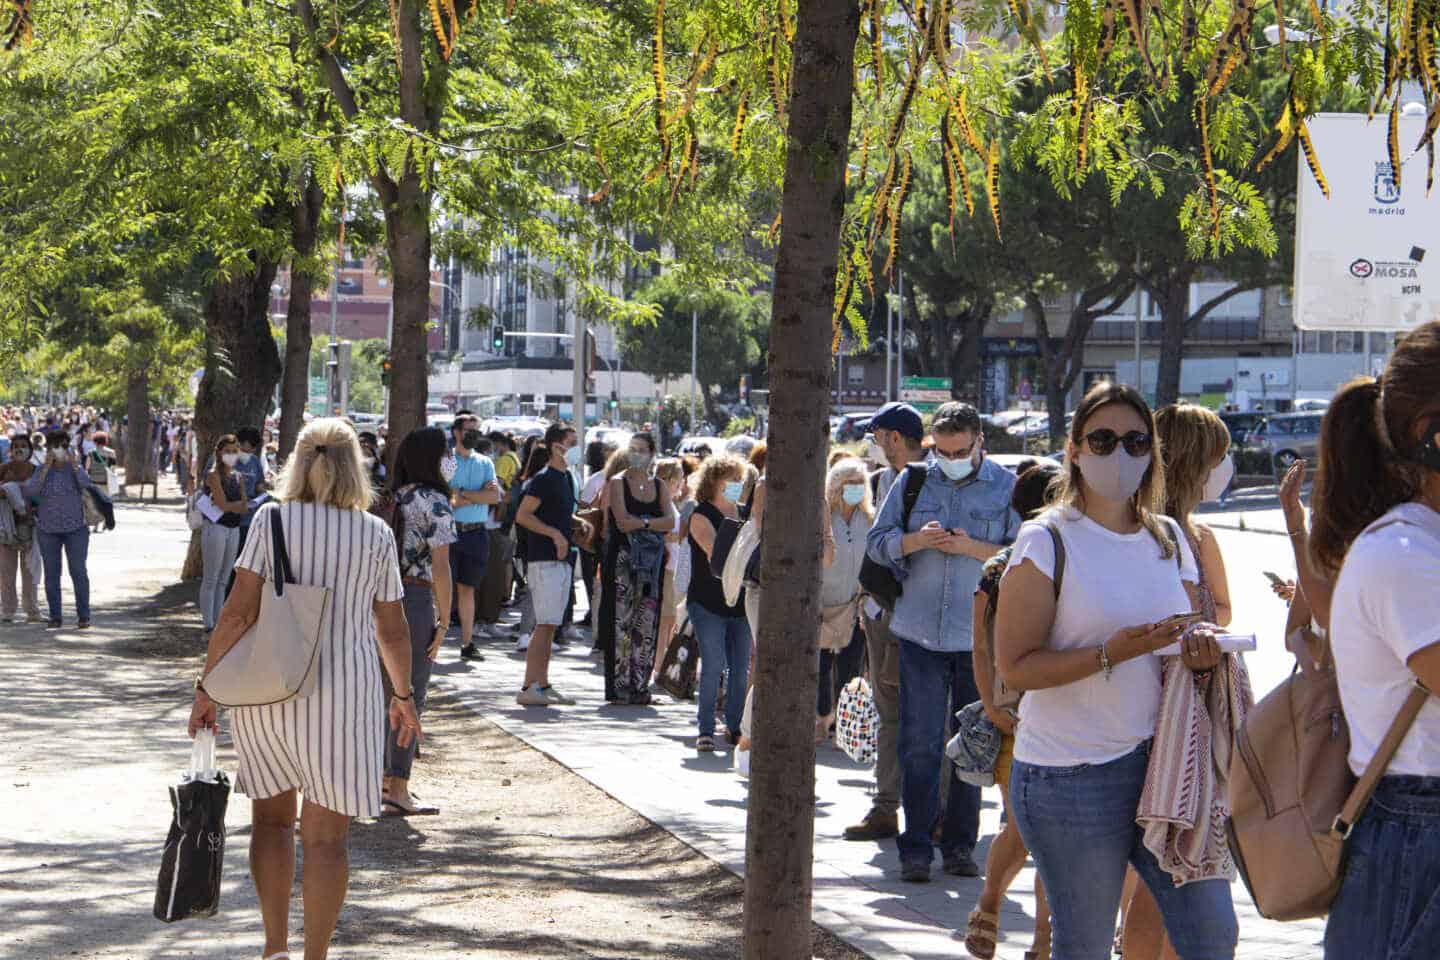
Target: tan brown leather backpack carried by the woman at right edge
[[1292, 795]]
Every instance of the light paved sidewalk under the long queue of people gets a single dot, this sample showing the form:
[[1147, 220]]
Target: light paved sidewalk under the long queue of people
[[646, 759]]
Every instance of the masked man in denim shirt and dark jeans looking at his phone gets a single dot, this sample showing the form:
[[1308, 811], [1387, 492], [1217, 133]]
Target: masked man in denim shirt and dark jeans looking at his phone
[[960, 520]]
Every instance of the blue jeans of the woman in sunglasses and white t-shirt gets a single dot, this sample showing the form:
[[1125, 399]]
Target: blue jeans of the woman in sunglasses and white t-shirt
[[1079, 824]]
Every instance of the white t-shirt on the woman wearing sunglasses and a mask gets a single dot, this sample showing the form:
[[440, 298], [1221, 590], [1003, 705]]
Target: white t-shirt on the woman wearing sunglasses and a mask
[[1111, 582]]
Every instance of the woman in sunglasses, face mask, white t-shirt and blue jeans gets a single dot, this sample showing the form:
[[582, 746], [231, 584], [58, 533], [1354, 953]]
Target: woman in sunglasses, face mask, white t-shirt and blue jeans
[[1085, 656]]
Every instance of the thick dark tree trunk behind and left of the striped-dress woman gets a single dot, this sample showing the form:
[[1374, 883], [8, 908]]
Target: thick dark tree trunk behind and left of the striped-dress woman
[[241, 366]]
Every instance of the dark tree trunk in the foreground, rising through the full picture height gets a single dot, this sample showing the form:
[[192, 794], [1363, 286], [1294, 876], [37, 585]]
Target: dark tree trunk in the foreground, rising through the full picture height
[[781, 821]]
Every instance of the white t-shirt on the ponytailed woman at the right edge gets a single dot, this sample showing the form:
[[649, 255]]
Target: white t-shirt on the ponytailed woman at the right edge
[[1386, 608]]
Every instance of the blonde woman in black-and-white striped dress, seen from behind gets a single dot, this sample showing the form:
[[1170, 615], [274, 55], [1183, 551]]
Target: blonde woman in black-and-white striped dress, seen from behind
[[329, 746]]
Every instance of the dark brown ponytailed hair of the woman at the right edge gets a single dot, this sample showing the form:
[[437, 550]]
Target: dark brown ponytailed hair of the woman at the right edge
[[1369, 448]]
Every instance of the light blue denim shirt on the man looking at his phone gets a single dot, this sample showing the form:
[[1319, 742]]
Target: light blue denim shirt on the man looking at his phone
[[940, 589]]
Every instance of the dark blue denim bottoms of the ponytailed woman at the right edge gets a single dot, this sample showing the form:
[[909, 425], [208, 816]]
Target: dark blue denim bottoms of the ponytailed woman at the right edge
[[1389, 907]]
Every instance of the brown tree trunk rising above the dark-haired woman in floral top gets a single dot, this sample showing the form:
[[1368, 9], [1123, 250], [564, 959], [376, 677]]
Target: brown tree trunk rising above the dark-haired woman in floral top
[[408, 241]]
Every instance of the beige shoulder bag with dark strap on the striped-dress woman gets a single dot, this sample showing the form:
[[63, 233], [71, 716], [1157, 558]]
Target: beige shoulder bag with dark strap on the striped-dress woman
[[276, 660]]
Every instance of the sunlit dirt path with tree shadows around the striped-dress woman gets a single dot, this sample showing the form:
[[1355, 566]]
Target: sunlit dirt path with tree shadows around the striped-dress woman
[[526, 861]]
